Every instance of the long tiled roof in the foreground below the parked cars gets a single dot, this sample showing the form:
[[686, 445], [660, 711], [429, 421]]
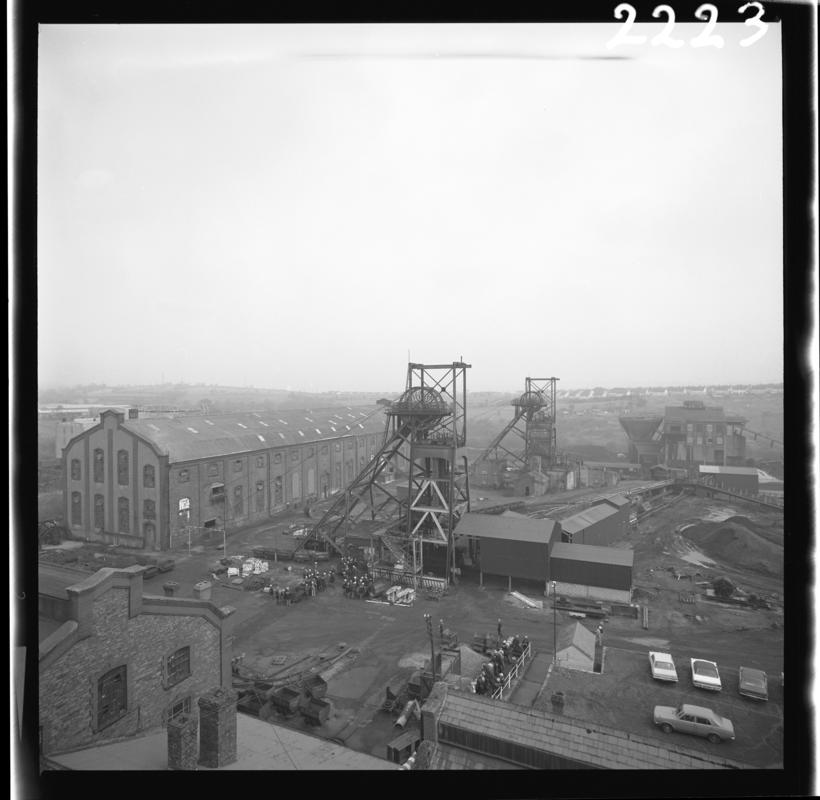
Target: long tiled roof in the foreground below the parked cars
[[575, 740]]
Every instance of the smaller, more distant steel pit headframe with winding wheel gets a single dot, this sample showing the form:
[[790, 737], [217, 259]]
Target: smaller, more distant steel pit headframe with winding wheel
[[533, 425]]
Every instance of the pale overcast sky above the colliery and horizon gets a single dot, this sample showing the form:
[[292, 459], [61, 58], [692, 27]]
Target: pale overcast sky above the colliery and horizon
[[300, 206]]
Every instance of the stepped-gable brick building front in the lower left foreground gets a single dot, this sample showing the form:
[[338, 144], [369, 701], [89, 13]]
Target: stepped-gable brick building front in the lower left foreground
[[122, 663]]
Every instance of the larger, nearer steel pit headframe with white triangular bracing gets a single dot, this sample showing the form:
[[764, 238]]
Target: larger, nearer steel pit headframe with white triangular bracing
[[424, 441]]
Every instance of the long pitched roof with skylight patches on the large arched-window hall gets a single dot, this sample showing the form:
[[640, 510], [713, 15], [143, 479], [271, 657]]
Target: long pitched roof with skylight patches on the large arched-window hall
[[197, 436]]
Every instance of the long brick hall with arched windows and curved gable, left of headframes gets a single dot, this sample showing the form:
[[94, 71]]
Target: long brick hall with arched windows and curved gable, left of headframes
[[152, 483]]
